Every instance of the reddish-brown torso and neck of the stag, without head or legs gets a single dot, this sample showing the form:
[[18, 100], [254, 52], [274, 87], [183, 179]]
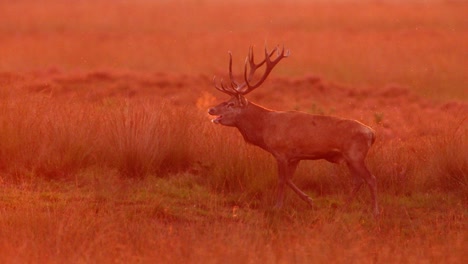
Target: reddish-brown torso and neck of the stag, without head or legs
[[297, 135]]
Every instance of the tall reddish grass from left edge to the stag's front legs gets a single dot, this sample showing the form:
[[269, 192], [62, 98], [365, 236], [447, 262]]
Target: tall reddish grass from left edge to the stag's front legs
[[56, 138]]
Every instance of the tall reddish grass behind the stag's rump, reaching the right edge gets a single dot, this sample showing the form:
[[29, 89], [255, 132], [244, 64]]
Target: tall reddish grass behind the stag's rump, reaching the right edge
[[423, 164]]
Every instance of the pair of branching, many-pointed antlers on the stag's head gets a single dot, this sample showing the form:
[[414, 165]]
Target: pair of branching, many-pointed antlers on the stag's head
[[237, 87]]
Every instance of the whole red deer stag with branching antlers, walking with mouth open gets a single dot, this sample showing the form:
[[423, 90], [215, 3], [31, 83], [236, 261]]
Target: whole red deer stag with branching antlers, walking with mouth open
[[293, 136]]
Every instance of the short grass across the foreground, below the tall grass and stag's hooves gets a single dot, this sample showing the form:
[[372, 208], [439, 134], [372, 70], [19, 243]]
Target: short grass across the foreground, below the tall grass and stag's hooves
[[176, 220]]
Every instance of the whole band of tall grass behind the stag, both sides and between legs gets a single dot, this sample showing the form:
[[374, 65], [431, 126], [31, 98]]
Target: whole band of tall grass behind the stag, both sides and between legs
[[59, 138]]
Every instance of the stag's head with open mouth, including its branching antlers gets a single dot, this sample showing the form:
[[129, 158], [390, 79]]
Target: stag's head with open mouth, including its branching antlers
[[228, 112]]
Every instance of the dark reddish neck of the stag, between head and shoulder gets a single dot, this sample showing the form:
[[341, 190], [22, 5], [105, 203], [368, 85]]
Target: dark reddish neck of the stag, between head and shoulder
[[251, 124]]
